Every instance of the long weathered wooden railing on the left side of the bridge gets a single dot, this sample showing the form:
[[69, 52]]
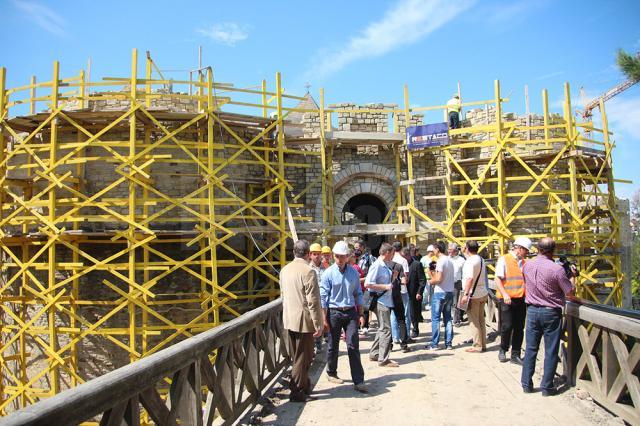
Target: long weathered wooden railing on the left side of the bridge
[[216, 374]]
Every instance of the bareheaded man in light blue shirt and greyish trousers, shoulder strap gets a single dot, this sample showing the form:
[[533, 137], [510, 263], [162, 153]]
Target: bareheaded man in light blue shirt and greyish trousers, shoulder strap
[[379, 279]]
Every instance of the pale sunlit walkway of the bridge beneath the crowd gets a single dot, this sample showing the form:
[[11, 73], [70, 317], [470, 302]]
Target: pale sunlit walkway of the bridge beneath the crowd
[[447, 387]]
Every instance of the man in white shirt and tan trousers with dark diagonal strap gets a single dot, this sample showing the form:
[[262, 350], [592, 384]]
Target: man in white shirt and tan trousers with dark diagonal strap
[[474, 288]]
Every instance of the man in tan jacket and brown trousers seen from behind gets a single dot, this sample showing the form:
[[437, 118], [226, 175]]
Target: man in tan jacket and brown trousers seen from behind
[[302, 317]]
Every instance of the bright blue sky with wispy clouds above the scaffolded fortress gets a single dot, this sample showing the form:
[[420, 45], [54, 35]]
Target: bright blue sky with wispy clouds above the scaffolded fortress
[[362, 51]]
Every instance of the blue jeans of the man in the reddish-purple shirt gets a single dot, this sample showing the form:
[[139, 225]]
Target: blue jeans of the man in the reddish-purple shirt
[[548, 323]]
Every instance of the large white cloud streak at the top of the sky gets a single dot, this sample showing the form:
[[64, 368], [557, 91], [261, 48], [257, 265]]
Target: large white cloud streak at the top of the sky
[[405, 23]]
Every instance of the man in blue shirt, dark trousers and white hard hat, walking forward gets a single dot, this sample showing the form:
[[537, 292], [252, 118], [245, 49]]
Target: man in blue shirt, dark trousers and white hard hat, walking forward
[[340, 293]]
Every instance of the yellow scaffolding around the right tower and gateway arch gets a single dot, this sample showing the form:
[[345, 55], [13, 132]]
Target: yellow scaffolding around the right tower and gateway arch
[[502, 178]]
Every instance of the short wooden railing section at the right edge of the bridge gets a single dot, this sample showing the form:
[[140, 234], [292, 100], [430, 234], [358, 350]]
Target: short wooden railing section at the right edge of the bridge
[[603, 356]]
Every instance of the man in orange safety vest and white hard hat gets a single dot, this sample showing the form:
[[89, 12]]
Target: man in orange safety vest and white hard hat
[[510, 293]]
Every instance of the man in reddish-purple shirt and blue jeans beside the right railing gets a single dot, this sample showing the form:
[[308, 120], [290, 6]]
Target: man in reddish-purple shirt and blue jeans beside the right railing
[[547, 286]]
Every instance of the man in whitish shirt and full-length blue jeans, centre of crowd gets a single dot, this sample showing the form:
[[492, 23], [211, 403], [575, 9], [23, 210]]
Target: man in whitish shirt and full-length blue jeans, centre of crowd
[[442, 279]]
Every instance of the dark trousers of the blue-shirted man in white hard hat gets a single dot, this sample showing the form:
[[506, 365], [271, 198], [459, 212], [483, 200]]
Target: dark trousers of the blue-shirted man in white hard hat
[[347, 321]]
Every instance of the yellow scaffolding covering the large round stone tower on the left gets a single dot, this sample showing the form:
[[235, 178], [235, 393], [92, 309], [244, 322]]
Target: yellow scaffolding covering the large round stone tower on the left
[[132, 217]]
